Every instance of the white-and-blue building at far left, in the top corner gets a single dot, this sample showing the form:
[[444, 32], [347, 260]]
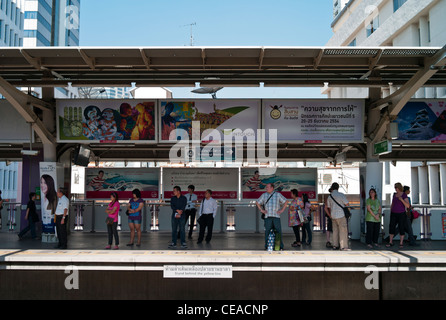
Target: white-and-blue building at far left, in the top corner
[[11, 22]]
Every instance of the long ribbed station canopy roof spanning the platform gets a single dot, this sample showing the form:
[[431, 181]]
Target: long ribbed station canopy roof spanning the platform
[[214, 66]]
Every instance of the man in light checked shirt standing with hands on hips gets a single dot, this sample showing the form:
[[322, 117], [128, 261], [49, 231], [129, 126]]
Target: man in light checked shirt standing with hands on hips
[[272, 204]]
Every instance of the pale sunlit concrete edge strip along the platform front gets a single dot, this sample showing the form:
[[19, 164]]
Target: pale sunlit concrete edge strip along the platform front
[[241, 261]]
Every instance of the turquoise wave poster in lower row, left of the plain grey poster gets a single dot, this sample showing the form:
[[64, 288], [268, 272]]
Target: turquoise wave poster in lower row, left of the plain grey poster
[[101, 182]]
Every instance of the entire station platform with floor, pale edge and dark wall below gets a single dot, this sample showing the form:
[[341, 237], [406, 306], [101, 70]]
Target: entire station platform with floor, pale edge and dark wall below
[[232, 267]]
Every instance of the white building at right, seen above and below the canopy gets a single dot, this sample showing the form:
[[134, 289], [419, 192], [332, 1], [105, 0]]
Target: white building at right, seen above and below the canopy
[[396, 23]]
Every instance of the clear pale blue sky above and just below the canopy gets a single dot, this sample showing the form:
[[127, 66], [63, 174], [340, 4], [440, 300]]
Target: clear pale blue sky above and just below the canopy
[[145, 23]]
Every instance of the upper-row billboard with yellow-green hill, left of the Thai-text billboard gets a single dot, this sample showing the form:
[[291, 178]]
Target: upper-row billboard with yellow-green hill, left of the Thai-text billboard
[[215, 114]]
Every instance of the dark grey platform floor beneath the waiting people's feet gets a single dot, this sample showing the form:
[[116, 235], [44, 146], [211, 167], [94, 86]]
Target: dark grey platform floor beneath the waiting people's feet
[[159, 240]]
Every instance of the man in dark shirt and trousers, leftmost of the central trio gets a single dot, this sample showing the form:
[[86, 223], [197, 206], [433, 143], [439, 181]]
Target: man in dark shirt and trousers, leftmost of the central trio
[[178, 204]]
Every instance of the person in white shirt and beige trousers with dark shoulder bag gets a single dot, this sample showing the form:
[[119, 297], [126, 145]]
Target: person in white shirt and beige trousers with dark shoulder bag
[[336, 212]]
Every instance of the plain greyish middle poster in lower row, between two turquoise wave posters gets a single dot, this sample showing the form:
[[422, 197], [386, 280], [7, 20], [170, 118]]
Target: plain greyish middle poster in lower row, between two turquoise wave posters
[[222, 181]]
